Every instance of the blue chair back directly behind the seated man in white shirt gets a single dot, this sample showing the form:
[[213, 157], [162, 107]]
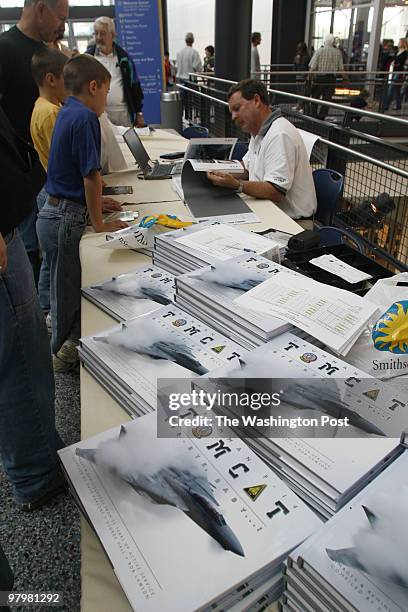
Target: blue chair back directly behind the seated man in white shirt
[[329, 187]]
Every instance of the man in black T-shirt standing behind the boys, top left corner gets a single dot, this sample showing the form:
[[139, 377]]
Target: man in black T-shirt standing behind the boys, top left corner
[[41, 21]]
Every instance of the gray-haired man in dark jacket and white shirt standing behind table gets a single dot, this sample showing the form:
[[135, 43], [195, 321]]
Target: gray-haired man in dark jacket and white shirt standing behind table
[[125, 98]]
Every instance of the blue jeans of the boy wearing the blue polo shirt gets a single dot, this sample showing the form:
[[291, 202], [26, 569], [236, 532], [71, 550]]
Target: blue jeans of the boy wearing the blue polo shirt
[[60, 228]]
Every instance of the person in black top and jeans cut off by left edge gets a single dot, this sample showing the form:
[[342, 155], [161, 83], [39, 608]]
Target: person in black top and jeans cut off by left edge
[[28, 438]]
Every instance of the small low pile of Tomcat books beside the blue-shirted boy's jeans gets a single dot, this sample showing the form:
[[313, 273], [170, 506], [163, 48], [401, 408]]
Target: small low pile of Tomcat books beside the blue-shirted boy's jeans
[[129, 295]]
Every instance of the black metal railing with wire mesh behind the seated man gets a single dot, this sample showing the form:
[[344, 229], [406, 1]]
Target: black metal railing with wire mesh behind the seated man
[[370, 166]]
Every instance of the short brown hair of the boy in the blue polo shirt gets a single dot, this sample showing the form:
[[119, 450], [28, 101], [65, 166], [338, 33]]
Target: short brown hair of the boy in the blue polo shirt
[[79, 71]]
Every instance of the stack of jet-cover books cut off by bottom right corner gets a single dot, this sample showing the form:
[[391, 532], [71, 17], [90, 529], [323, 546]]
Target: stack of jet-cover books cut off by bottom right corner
[[357, 560]]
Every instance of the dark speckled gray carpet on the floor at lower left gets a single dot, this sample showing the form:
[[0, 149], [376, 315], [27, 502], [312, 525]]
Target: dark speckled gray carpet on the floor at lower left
[[43, 547]]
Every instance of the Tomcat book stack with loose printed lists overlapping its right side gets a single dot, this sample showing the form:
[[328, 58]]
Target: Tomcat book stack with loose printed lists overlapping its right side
[[209, 294]]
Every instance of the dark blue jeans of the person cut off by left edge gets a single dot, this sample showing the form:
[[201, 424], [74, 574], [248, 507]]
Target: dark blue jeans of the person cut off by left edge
[[28, 438]]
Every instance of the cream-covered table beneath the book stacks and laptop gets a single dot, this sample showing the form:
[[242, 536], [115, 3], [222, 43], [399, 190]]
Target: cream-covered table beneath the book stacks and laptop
[[101, 591]]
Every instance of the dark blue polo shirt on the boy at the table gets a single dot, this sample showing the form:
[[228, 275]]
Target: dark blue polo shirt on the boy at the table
[[75, 151]]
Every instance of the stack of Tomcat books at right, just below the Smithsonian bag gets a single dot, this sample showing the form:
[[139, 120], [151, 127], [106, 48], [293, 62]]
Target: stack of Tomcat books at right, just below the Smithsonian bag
[[329, 466]]
